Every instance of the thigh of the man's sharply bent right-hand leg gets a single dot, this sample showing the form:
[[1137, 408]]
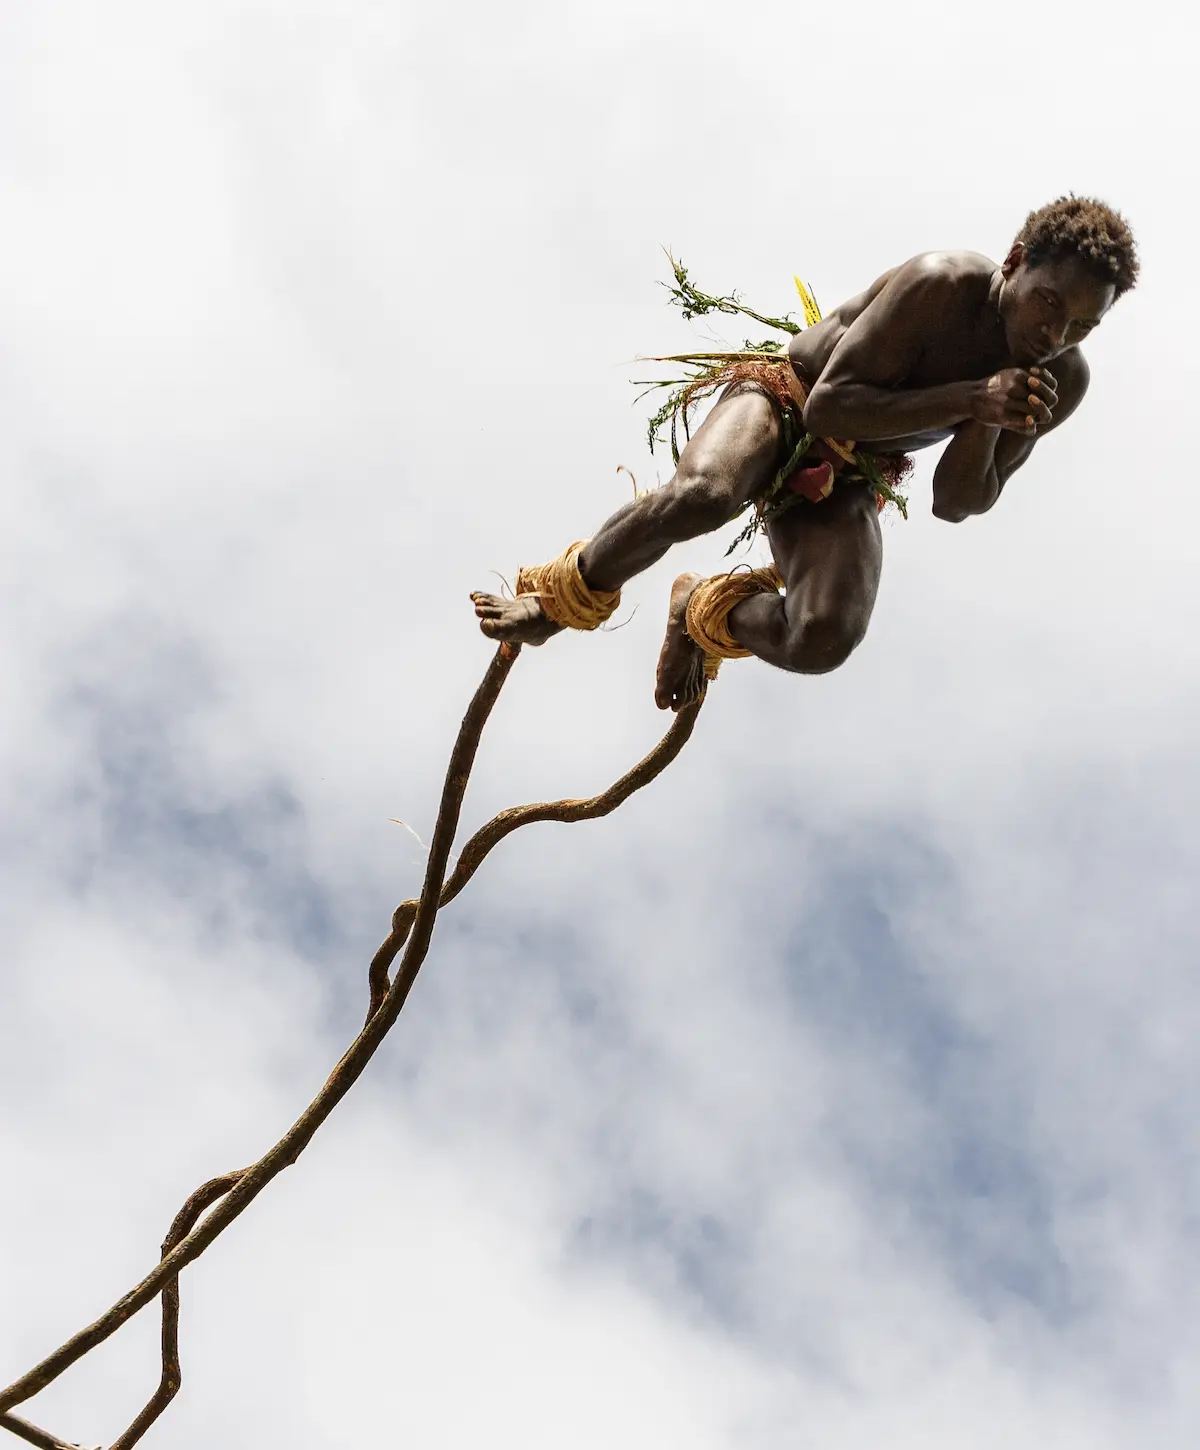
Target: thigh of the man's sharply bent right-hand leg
[[831, 556]]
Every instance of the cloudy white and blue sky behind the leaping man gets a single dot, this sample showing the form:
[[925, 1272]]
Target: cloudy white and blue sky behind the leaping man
[[836, 1093]]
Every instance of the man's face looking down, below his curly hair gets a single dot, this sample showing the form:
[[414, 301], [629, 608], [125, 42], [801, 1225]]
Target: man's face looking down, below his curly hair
[[1051, 307]]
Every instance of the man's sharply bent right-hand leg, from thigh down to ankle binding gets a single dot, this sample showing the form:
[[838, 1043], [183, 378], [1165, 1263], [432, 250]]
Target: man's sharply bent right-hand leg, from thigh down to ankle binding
[[830, 556]]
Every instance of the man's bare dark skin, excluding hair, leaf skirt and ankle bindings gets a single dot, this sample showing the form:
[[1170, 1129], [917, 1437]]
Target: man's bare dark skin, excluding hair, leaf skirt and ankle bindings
[[946, 349]]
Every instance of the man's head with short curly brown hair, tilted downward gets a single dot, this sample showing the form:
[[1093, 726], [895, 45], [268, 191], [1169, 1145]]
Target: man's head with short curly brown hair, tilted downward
[[1066, 269]]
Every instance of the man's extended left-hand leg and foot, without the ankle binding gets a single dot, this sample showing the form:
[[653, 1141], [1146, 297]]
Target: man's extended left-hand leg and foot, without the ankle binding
[[731, 457]]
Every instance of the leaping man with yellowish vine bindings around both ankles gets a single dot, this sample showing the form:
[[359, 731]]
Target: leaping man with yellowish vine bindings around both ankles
[[949, 347]]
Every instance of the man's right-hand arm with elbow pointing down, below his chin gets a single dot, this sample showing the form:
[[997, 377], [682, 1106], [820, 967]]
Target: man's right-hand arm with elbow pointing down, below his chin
[[980, 460]]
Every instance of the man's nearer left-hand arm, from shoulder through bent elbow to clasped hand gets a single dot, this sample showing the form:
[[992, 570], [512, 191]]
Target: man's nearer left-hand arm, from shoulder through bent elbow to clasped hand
[[860, 394]]
